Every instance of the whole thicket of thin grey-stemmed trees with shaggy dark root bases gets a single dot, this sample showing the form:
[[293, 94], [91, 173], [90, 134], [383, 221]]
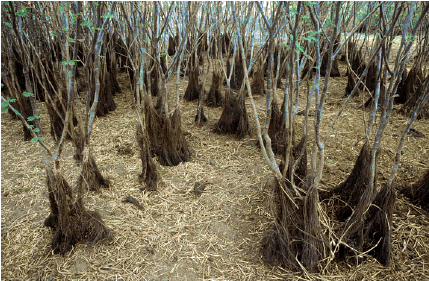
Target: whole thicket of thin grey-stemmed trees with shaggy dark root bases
[[62, 53]]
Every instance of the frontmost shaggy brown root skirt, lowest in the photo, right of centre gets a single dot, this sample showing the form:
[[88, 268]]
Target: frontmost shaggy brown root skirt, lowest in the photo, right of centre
[[296, 241]]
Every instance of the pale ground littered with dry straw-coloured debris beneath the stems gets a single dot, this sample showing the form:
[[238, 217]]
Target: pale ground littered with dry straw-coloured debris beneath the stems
[[179, 235]]
